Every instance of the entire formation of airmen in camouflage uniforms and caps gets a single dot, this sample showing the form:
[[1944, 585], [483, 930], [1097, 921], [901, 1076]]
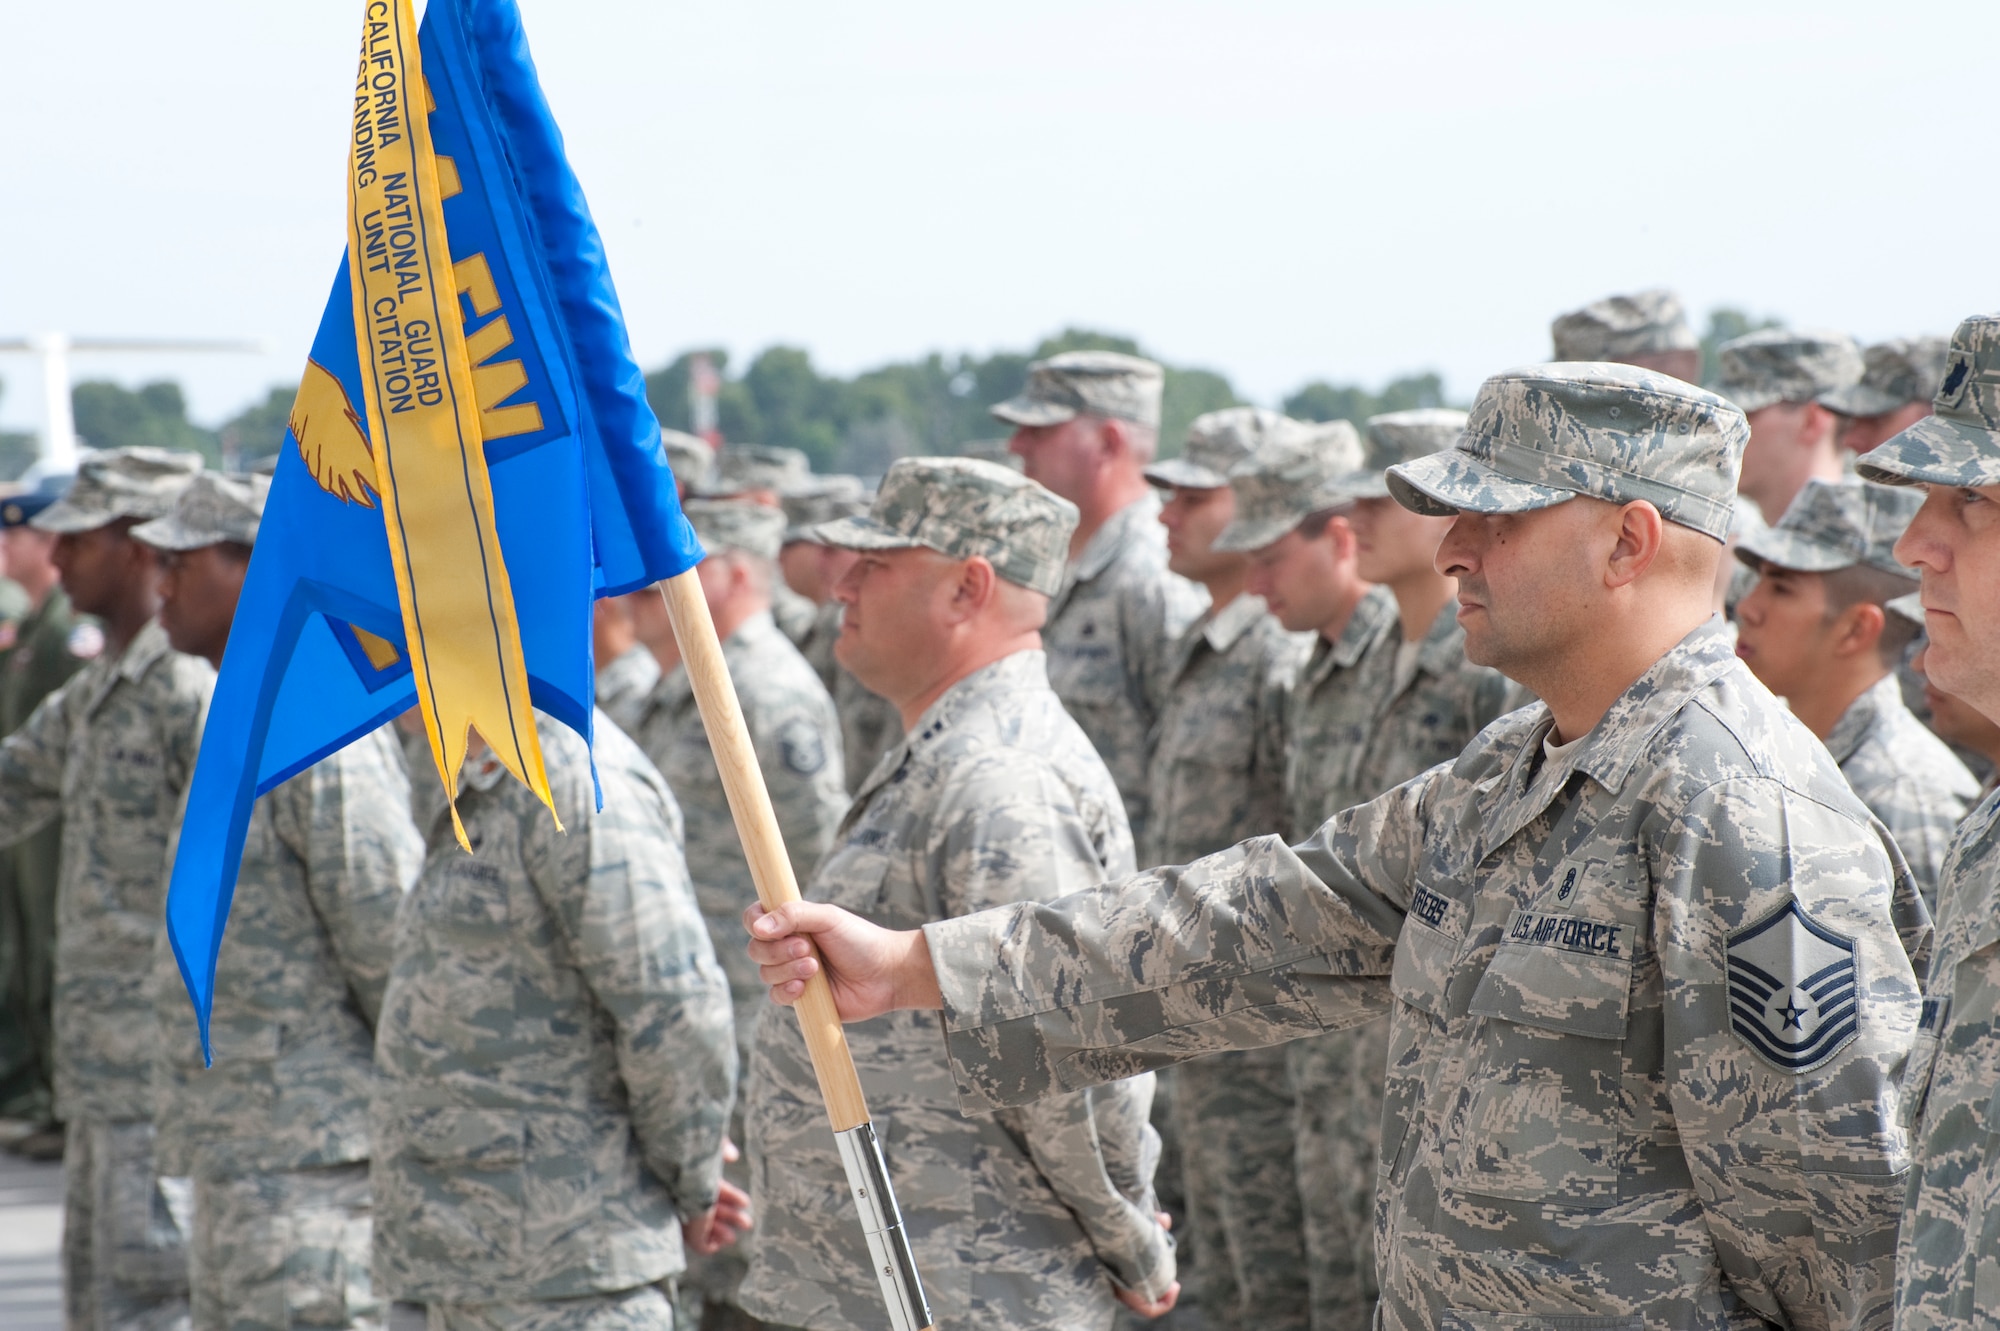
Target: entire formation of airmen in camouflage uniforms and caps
[[1617, 1000]]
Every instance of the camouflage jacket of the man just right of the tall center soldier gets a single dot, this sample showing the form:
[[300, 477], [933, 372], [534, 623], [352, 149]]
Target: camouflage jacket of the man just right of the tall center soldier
[[1217, 770]]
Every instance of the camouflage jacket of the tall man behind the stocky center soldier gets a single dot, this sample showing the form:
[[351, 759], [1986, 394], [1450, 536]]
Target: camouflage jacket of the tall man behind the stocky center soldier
[[1109, 639]]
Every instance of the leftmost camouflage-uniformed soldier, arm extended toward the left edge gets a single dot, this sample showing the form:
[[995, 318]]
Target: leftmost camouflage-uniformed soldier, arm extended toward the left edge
[[111, 754]]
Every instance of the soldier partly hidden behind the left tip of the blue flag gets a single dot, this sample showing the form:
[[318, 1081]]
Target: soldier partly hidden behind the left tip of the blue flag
[[275, 1134]]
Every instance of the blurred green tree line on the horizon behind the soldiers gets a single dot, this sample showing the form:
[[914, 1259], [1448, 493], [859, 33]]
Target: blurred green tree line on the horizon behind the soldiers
[[845, 425]]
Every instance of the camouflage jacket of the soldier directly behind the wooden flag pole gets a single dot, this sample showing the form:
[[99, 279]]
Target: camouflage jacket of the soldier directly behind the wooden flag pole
[[797, 744]]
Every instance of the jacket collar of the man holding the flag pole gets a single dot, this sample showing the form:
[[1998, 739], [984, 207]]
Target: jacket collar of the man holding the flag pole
[[1617, 742]]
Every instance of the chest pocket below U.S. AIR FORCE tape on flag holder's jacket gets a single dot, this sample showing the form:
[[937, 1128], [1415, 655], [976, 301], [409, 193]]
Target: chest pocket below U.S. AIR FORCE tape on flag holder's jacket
[[1543, 1112]]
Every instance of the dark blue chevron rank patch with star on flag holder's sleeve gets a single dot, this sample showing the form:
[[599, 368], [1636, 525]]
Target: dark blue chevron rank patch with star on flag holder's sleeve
[[1793, 990]]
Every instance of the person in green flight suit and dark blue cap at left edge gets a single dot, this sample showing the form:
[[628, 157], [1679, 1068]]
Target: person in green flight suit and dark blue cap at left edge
[[51, 645]]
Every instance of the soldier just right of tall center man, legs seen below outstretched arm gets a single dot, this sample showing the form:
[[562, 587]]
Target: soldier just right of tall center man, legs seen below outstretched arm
[[1217, 772]]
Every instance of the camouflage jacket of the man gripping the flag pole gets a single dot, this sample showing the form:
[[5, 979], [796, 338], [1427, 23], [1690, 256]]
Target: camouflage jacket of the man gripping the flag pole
[[1597, 964]]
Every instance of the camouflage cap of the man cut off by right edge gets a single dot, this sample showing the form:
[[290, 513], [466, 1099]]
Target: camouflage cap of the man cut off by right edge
[[1959, 445]]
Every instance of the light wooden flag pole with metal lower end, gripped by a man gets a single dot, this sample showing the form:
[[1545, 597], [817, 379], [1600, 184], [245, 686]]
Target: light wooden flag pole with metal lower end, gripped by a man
[[771, 868]]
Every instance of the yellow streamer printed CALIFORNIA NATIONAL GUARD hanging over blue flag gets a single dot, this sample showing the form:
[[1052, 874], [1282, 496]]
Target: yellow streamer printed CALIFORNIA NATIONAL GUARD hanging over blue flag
[[425, 423]]
